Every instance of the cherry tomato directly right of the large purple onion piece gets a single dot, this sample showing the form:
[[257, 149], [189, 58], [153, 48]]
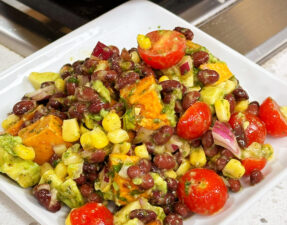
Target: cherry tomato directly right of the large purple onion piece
[[254, 128]]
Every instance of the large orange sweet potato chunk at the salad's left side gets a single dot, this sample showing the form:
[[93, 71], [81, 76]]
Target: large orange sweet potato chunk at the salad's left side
[[42, 136]]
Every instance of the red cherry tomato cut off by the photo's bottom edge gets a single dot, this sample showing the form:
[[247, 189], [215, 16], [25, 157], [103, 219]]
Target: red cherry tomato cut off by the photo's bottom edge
[[91, 214]]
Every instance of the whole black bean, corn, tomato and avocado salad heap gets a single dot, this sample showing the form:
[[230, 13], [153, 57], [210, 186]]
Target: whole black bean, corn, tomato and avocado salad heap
[[150, 135]]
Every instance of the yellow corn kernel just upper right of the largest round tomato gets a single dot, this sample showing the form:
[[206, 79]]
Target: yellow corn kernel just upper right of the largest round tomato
[[233, 169]]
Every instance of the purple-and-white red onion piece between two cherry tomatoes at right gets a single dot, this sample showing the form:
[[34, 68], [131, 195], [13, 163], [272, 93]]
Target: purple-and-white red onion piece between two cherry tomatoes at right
[[224, 137]]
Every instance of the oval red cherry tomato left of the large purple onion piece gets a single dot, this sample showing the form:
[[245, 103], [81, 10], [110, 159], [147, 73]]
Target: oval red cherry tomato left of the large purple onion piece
[[195, 121]]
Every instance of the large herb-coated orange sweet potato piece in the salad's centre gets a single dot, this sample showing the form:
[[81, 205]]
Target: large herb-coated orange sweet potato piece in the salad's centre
[[145, 96]]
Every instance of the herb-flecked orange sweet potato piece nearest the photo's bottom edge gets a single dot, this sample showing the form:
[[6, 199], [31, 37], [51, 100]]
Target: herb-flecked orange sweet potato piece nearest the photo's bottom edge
[[127, 192]]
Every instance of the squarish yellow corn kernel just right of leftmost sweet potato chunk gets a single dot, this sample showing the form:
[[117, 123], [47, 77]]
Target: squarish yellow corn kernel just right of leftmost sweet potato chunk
[[70, 130]]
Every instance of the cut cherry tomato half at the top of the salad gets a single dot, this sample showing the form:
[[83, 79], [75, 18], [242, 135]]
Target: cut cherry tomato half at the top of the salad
[[167, 49]]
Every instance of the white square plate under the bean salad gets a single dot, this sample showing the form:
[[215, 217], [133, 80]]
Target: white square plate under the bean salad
[[119, 27]]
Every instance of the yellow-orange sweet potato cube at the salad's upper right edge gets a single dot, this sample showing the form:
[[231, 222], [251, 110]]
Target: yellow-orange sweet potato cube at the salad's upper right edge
[[222, 70]]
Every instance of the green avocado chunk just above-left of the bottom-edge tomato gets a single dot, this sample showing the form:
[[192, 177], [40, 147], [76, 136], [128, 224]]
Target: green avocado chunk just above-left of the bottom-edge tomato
[[69, 193]]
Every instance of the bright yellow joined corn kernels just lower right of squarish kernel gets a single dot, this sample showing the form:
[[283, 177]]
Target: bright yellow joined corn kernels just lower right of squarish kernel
[[94, 139]]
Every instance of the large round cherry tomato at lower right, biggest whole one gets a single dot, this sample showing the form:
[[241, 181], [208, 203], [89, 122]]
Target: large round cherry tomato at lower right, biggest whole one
[[202, 191]]
